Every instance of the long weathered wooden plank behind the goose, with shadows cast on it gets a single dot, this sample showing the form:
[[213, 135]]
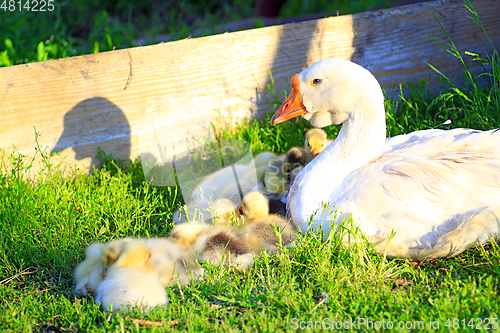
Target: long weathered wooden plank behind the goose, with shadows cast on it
[[122, 100]]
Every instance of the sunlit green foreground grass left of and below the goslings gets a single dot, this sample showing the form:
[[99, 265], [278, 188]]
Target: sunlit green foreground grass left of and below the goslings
[[48, 223]]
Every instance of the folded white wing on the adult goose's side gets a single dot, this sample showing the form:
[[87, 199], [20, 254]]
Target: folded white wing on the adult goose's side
[[420, 188]]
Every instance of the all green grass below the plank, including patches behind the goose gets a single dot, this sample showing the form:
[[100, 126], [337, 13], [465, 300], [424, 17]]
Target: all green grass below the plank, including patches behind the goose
[[47, 223]]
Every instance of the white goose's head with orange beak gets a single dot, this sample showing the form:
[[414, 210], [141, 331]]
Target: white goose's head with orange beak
[[328, 92]]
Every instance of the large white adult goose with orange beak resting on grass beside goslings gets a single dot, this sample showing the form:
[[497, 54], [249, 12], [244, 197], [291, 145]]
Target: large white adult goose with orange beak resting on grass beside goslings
[[439, 191]]
